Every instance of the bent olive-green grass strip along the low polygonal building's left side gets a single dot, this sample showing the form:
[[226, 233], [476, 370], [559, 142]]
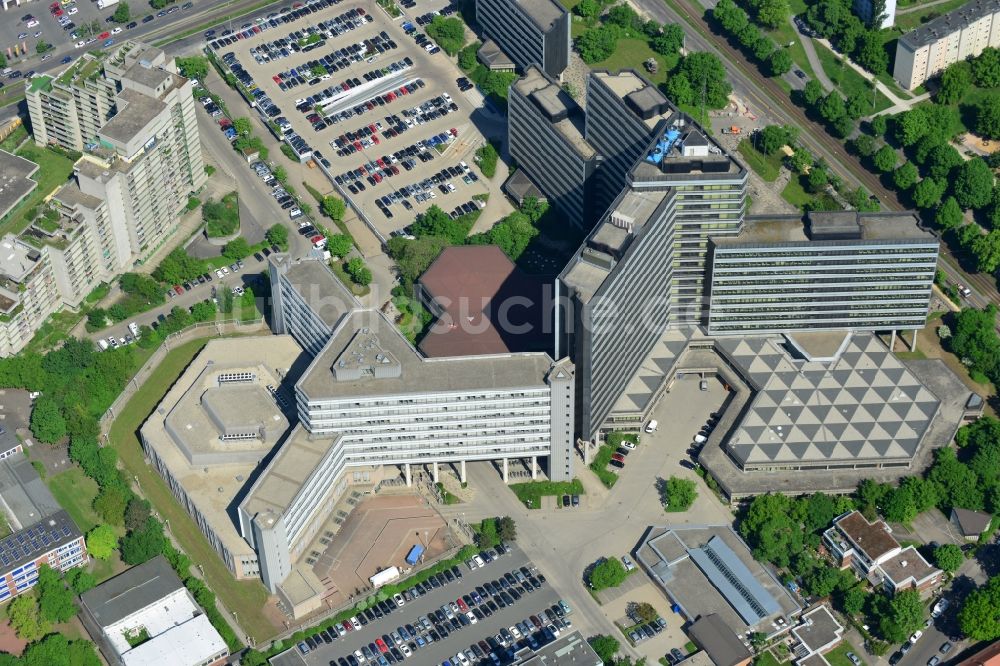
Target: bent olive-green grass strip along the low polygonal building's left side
[[248, 597]]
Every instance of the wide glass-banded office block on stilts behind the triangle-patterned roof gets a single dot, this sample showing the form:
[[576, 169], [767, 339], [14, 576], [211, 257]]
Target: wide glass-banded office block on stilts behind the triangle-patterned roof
[[831, 271]]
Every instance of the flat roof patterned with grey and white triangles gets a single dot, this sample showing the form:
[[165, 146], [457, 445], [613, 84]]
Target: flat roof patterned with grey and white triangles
[[863, 406]]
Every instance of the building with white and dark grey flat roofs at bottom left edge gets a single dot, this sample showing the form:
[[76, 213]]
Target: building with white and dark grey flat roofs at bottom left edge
[[145, 616]]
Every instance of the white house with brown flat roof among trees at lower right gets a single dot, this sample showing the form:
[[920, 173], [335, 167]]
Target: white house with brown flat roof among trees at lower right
[[875, 555]]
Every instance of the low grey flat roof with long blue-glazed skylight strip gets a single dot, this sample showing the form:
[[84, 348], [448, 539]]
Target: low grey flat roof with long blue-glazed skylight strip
[[709, 570]]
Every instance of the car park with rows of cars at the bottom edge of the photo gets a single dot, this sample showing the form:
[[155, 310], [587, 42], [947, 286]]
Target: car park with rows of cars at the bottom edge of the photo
[[479, 609]]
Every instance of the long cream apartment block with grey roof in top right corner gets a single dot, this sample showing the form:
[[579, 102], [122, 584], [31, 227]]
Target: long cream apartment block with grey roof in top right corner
[[960, 34]]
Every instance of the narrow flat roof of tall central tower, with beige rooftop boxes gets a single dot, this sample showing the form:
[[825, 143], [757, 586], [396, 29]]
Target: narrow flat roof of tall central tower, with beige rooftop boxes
[[596, 259]]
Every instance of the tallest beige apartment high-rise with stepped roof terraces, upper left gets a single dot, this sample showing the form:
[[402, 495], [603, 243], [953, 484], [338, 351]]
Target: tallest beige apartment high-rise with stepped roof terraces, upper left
[[133, 116]]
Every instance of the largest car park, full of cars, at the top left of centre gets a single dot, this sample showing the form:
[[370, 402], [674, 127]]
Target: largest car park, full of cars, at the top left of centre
[[382, 114]]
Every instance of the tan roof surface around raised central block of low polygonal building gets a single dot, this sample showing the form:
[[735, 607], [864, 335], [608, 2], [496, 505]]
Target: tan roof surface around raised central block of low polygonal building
[[214, 473]]
